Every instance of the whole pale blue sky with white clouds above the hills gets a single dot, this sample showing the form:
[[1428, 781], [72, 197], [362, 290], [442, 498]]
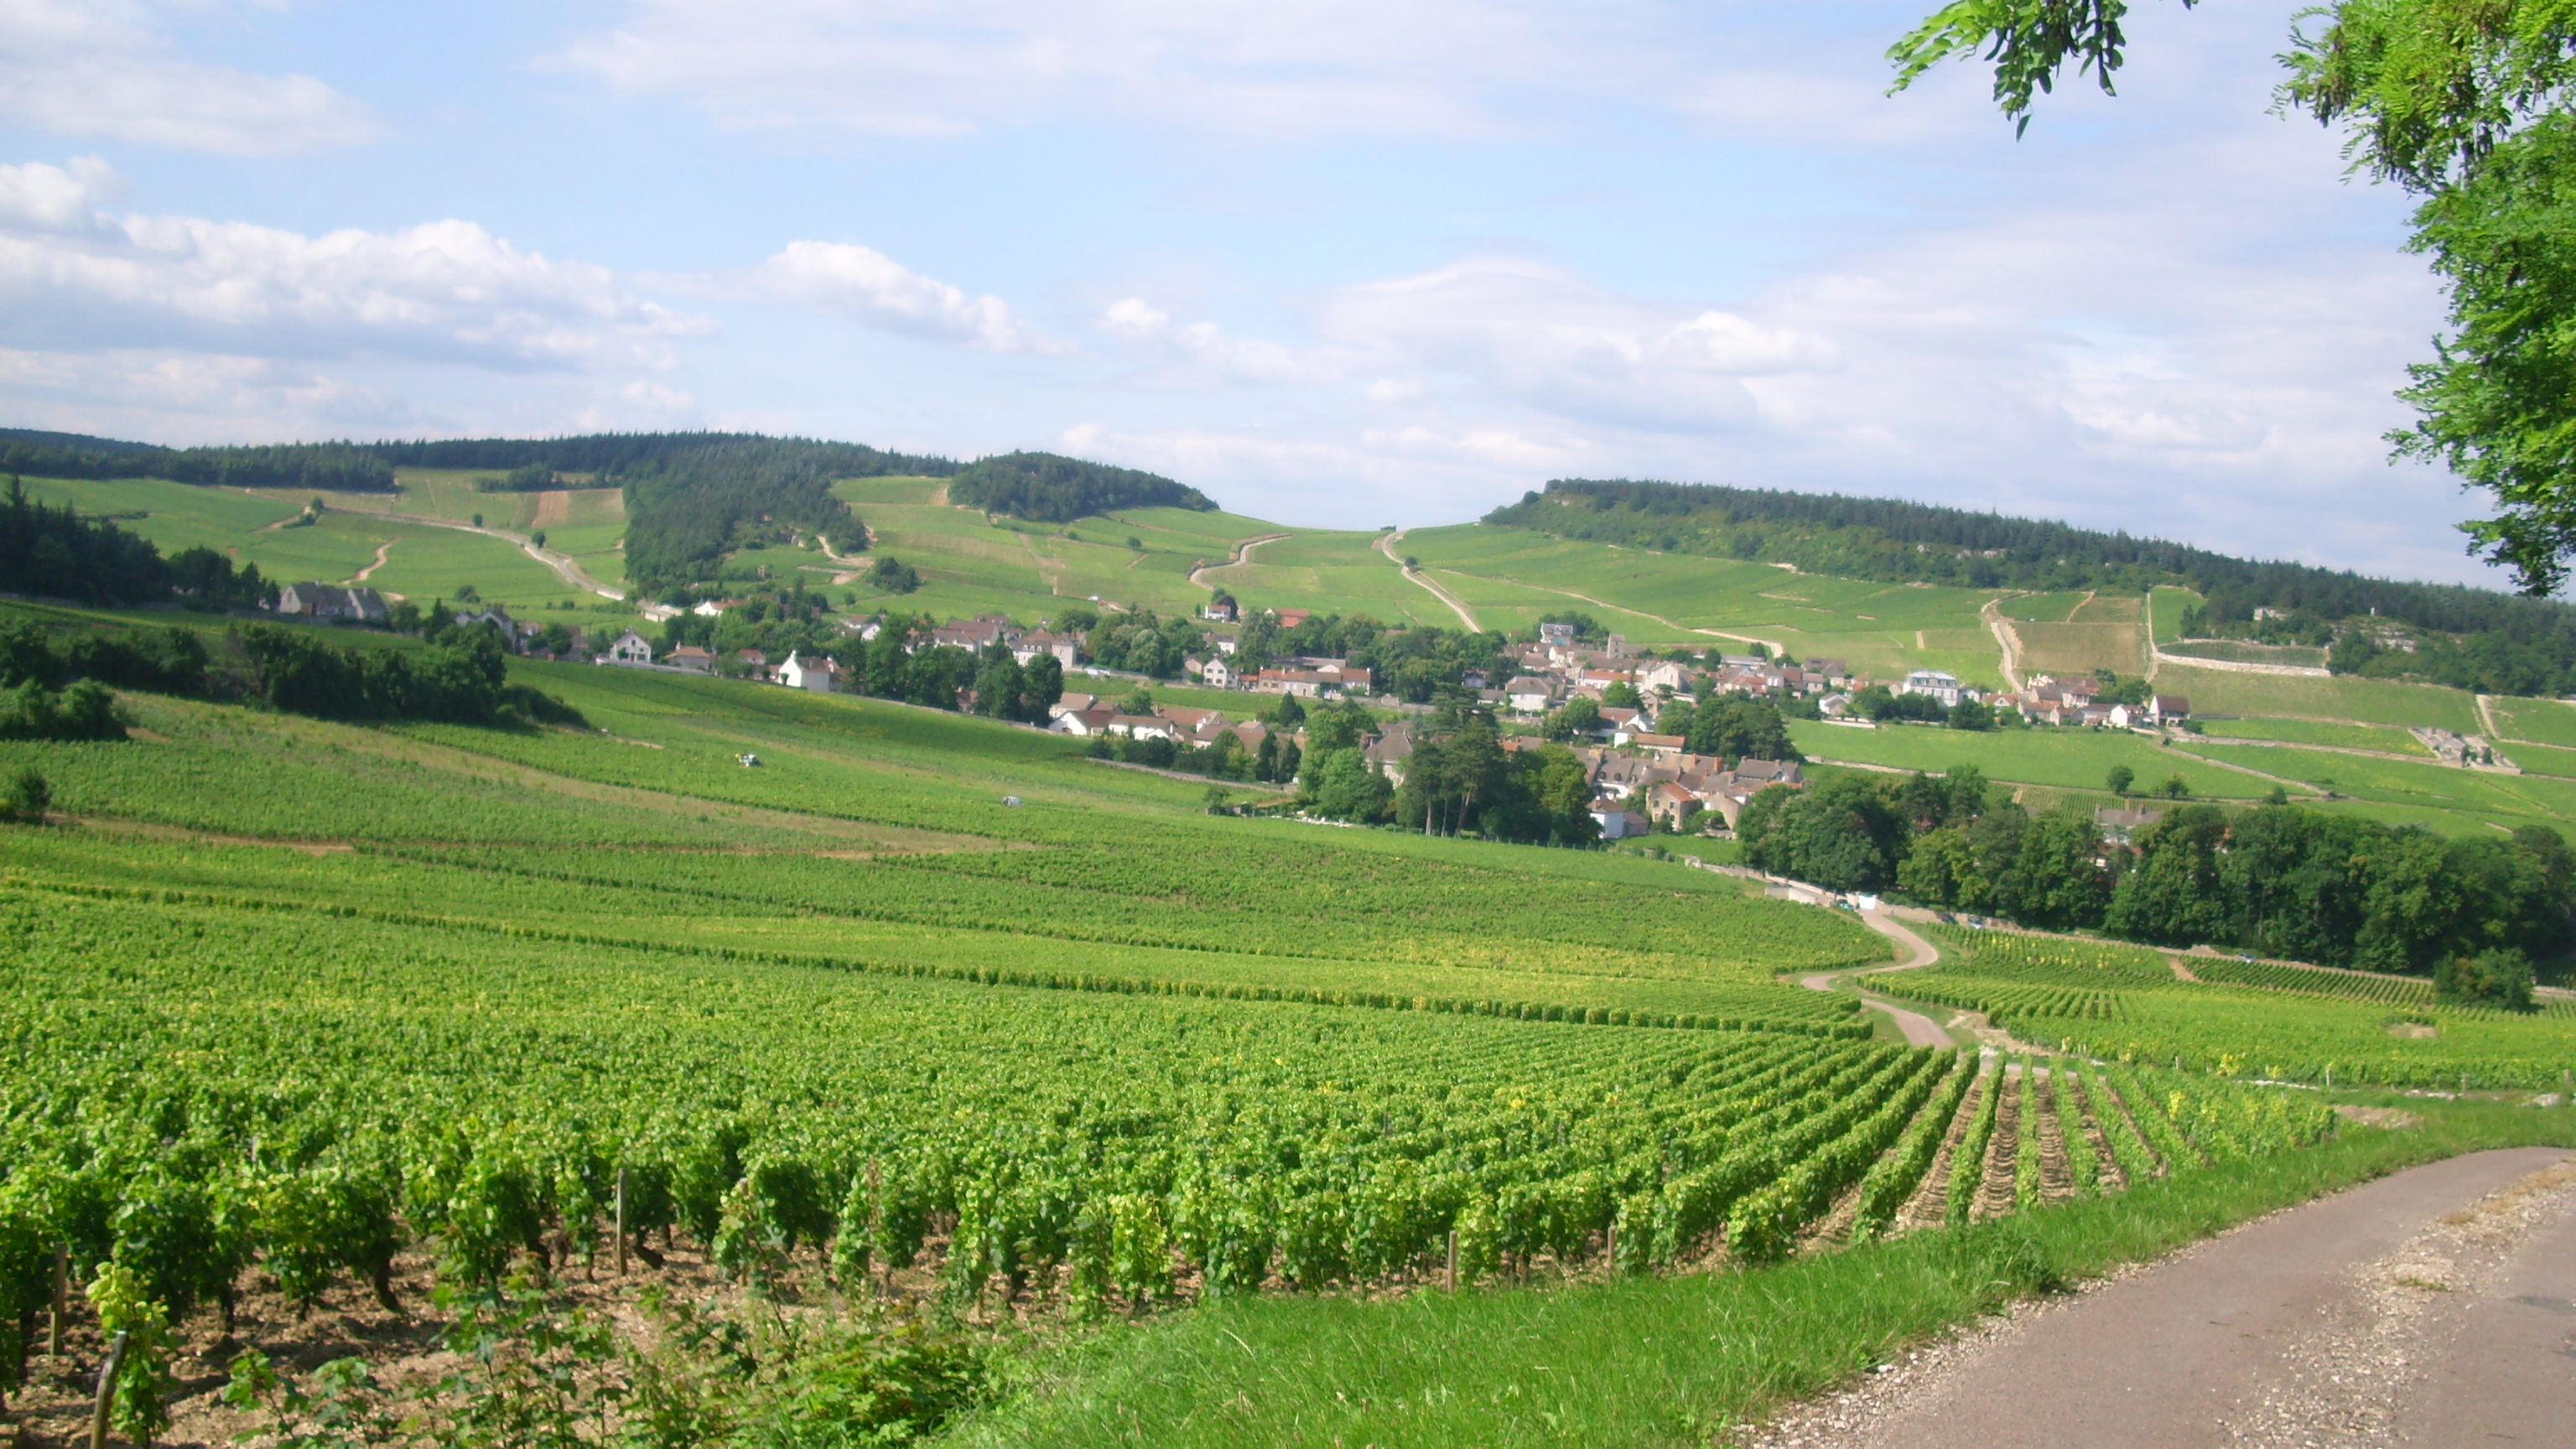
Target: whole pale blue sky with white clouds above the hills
[[1336, 262]]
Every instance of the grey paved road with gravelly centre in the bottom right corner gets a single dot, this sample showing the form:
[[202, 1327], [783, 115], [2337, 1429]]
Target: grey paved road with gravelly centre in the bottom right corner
[[2428, 1308]]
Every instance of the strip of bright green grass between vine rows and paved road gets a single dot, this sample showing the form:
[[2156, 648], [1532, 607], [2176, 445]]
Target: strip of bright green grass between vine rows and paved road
[[1647, 1360]]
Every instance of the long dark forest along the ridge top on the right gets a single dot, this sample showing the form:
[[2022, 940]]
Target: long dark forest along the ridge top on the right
[[1915, 543]]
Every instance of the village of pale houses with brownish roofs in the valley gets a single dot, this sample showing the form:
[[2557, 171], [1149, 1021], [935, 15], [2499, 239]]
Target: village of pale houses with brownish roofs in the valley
[[1604, 700]]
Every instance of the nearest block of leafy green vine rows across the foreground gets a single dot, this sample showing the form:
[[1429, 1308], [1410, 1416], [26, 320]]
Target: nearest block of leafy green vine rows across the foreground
[[200, 1092]]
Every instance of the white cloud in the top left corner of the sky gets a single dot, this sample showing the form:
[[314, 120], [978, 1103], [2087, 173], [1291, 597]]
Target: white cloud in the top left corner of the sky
[[94, 68]]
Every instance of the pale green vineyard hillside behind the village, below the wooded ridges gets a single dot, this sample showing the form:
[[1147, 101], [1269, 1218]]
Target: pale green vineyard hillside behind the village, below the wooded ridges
[[2266, 713]]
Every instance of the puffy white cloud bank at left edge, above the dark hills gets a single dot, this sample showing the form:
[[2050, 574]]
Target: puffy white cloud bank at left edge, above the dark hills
[[76, 280]]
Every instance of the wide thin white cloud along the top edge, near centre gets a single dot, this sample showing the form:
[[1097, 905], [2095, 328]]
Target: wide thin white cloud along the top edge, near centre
[[1325, 68]]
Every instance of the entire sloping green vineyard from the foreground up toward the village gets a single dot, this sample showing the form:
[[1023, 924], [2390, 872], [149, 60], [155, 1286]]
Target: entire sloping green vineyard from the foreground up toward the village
[[926, 1035]]
